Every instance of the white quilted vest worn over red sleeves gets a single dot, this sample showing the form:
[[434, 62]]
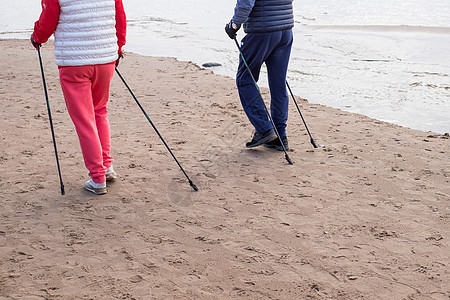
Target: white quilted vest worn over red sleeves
[[86, 33]]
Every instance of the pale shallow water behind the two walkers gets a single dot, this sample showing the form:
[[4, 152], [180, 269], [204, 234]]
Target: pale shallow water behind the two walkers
[[386, 59]]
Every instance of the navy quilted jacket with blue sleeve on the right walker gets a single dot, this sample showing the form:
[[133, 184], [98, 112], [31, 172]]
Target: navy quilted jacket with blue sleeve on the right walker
[[264, 15]]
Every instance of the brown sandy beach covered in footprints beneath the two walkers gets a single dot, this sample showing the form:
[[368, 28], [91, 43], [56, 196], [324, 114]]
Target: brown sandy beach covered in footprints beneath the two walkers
[[364, 217]]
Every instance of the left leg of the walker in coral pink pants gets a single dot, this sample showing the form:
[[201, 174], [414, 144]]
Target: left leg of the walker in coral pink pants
[[76, 85]]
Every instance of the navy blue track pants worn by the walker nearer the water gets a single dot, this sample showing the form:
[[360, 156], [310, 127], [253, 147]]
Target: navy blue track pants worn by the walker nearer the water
[[273, 49]]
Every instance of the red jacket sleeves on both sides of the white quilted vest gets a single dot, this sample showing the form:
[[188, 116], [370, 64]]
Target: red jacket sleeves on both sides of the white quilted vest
[[46, 25]]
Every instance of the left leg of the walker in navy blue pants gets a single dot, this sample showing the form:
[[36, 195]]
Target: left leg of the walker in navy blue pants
[[255, 48]]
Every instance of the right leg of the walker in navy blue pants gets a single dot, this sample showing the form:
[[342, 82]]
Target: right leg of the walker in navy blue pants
[[277, 64]]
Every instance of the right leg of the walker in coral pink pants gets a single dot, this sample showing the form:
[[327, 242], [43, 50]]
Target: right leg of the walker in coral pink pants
[[101, 81]]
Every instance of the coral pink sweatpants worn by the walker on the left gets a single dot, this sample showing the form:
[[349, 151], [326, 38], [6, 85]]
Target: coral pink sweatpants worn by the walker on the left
[[86, 92]]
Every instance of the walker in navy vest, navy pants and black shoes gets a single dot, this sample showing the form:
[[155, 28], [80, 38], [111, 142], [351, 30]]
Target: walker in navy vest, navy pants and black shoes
[[268, 27]]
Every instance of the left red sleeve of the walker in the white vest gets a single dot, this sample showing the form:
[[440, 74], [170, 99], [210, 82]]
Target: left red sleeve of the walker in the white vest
[[48, 20]]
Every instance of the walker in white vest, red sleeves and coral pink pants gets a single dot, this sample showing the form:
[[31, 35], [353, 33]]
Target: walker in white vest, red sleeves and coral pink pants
[[89, 36]]
